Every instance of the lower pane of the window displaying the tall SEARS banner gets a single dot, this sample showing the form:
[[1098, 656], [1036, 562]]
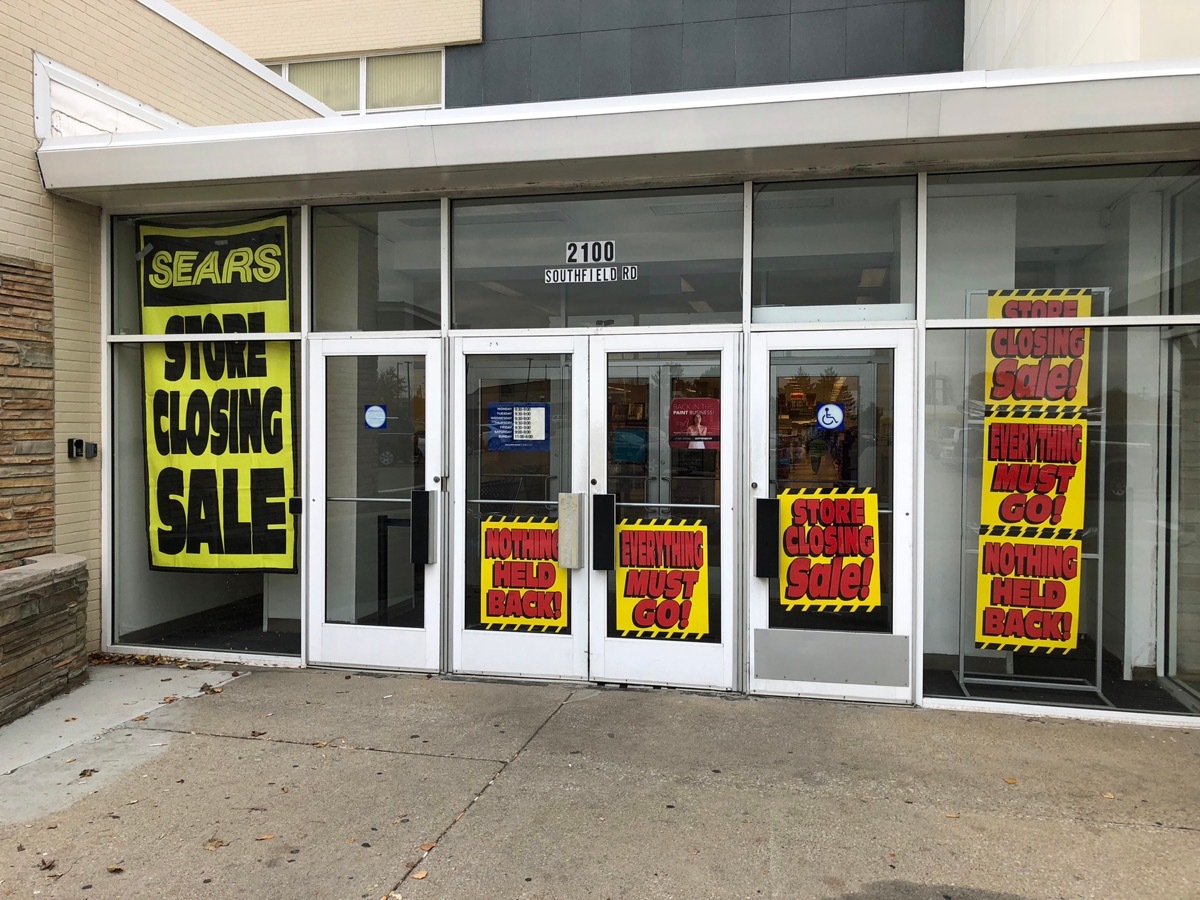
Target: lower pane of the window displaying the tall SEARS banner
[[206, 496]]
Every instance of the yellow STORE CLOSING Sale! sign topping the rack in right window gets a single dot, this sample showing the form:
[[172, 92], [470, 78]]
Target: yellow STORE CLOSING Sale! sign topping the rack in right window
[[1034, 364]]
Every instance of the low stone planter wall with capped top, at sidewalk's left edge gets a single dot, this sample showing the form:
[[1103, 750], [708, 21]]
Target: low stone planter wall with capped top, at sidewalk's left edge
[[44, 629]]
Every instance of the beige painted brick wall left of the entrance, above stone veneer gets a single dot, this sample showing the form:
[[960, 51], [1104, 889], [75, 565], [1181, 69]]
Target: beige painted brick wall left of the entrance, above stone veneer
[[130, 49]]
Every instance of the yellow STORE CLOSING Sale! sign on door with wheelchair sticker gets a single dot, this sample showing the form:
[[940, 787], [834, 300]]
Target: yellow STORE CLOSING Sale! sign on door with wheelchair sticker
[[830, 553]]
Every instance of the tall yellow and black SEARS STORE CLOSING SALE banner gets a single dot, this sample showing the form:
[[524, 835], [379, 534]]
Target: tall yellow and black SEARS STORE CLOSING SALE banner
[[219, 411]]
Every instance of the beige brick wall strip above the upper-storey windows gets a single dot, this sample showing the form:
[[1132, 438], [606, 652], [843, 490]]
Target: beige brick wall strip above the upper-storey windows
[[290, 29]]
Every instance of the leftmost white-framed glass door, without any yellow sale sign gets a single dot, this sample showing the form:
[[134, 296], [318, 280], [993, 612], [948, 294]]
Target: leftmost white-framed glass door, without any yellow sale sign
[[375, 580]]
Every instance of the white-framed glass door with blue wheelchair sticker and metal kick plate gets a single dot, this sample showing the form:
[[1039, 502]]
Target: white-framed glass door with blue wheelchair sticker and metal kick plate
[[831, 568]]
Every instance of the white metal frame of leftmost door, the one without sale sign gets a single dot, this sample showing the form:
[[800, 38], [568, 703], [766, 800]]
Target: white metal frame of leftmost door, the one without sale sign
[[370, 646]]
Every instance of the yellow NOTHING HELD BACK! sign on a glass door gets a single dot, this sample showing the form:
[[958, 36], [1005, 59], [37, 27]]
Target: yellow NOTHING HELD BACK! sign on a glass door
[[521, 586]]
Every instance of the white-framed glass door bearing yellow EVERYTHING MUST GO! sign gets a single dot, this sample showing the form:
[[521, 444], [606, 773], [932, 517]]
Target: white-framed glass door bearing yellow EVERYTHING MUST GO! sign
[[665, 447]]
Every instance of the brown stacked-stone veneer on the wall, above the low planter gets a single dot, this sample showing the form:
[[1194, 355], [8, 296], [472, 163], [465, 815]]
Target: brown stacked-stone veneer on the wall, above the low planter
[[27, 411]]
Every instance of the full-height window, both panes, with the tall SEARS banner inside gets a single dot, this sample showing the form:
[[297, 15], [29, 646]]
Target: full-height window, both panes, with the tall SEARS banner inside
[[207, 437]]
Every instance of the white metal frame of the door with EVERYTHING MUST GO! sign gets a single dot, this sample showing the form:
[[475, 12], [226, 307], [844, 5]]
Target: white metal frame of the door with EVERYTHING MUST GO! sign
[[659, 662]]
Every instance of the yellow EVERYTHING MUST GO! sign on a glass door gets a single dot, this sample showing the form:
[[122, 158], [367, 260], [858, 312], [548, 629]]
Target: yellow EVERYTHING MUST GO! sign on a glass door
[[662, 580]]
